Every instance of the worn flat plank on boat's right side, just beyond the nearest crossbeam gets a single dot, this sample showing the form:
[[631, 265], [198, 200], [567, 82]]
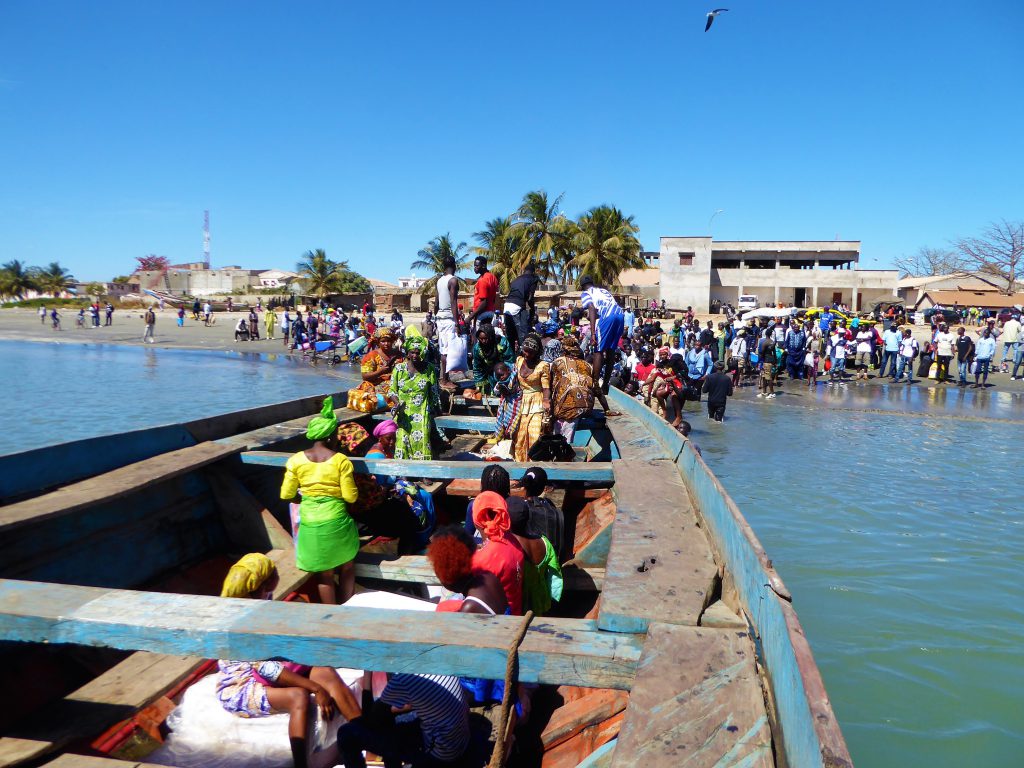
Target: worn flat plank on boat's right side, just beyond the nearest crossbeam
[[660, 567]]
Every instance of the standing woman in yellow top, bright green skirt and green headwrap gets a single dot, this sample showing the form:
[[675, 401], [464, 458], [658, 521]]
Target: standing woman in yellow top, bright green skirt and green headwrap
[[328, 539]]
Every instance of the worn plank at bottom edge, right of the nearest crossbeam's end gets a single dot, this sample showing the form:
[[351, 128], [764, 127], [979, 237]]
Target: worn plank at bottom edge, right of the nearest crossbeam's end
[[697, 701]]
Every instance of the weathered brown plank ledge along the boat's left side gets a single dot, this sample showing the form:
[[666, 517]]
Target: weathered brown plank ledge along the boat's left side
[[114, 485]]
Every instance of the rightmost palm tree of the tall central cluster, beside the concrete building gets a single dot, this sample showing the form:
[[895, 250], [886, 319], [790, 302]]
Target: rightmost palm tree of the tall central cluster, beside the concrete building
[[607, 244]]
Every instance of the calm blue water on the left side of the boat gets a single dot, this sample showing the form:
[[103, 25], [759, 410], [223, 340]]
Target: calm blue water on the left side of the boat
[[59, 393]]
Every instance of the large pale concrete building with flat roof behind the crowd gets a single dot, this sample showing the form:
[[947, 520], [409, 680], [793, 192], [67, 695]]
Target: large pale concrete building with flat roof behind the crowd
[[702, 273]]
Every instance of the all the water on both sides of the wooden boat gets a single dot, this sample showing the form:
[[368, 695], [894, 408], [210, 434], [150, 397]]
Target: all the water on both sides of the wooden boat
[[895, 521]]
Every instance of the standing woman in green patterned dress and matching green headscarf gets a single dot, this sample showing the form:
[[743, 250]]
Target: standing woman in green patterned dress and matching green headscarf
[[414, 386]]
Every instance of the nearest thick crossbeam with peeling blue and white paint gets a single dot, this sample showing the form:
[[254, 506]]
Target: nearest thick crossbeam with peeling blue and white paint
[[556, 651]]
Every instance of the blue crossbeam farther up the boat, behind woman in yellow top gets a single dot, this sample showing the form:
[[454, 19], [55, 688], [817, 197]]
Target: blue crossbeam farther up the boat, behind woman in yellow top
[[599, 473]]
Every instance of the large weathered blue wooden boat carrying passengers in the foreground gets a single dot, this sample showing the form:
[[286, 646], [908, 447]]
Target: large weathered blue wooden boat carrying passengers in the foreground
[[677, 645]]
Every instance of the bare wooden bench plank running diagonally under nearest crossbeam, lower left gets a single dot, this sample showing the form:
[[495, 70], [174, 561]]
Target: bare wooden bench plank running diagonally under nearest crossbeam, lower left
[[131, 686]]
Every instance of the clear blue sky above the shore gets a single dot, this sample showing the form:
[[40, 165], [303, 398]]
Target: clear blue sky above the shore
[[369, 129]]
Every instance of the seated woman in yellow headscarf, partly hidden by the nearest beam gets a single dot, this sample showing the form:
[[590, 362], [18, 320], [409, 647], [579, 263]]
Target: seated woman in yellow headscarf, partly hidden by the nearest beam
[[253, 690]]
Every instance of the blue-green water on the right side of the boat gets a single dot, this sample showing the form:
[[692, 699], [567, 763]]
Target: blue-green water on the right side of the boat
[[903, 541]]
